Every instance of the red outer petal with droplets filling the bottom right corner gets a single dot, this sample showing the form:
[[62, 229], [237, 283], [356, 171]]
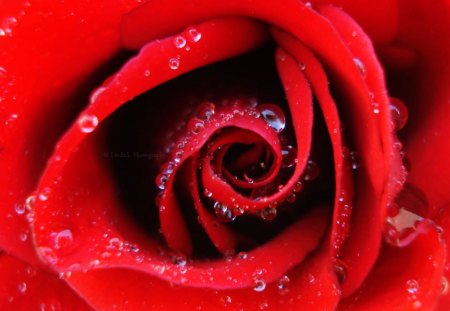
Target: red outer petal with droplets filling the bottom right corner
[[404, 278]]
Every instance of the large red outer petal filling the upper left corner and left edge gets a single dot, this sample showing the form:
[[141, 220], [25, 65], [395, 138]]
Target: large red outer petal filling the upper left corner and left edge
[[36, 96]]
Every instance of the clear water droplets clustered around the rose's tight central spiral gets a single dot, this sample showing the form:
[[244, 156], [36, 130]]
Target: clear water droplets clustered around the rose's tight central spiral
[[210, 114]]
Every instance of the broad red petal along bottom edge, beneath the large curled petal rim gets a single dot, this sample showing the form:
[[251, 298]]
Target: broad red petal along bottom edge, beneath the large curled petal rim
[[314, 279]]
